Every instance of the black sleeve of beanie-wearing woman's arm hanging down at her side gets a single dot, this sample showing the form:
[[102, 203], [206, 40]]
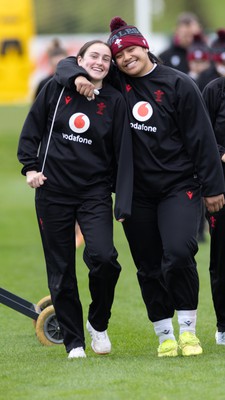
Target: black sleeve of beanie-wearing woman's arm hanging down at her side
[[198, 136]]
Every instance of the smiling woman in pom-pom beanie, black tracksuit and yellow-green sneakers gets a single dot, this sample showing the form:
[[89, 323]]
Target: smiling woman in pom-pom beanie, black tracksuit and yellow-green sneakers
[[176, 162]]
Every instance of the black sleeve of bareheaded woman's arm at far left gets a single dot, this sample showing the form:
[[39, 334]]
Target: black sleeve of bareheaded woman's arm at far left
[[34, 129]]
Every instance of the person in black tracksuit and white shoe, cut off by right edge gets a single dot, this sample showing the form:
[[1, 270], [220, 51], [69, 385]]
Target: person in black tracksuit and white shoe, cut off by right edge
[[214, 96]]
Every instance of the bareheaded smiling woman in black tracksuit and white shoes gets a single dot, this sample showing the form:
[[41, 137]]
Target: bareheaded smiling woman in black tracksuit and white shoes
[[74, 173]]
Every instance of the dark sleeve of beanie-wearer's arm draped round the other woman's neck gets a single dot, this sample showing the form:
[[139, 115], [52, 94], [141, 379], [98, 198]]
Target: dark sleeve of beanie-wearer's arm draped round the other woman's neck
[[67, 70]]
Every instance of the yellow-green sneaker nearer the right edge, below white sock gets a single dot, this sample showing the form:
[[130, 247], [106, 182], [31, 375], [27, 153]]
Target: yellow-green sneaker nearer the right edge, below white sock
[[189, 344]]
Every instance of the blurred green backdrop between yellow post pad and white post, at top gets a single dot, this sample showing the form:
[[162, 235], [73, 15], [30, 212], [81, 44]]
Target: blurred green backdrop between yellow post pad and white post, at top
[[74, 16]]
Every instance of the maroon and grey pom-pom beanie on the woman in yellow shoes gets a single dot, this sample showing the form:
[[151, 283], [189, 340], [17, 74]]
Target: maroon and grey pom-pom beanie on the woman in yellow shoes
[[124, 35]]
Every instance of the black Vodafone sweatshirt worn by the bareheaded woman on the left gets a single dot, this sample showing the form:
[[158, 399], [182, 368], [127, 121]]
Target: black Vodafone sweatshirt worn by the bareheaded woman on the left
[[91, 144]]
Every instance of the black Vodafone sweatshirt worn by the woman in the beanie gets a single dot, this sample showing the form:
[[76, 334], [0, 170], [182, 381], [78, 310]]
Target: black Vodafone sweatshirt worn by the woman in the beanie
[[173, 138]]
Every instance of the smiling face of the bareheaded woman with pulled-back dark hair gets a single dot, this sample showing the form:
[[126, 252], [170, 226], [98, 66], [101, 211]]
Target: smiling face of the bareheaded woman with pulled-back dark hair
[[96, 61]]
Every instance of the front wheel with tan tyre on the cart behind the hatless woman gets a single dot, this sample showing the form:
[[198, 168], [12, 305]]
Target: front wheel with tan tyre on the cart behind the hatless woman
[[47, 327]]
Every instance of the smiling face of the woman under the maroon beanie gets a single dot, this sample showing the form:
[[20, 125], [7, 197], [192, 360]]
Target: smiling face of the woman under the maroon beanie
[[134, 61]]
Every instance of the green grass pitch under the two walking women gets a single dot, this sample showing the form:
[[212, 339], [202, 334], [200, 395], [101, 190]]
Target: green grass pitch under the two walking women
[[30, 371]]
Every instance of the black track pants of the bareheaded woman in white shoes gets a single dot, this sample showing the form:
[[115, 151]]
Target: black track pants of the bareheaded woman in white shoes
[[57, 216]]
